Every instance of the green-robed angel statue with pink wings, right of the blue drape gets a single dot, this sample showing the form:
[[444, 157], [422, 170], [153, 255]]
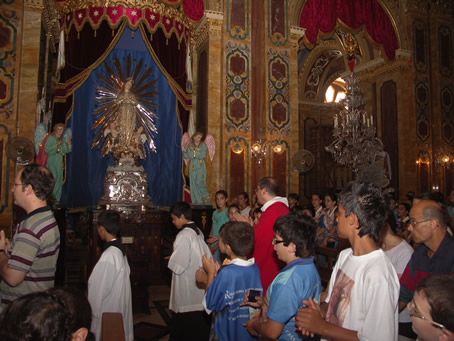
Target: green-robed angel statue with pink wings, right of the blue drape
[[194, 153]]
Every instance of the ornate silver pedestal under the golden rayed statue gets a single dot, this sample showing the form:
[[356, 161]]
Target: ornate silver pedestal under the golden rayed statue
[[125, 188]]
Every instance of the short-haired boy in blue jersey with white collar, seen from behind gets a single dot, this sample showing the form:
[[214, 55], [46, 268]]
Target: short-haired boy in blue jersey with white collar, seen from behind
[[226, 289]]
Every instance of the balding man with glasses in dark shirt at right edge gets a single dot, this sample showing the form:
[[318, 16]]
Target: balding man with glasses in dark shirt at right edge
[[428, 226]]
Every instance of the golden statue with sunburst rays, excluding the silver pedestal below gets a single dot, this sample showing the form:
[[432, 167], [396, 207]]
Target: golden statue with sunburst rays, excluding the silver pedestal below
[[124, 117]]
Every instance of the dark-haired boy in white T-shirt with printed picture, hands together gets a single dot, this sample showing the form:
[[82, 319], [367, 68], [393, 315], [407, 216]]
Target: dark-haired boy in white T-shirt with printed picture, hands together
[[364, 289]]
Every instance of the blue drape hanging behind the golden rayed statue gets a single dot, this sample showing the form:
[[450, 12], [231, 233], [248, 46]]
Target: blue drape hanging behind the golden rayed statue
[[84, 184]]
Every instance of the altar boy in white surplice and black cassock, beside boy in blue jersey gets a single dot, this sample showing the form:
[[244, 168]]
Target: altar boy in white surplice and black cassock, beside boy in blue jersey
[[189, 321]]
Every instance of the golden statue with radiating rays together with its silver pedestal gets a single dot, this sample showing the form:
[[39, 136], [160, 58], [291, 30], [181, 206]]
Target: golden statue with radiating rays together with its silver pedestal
[[124, 127]]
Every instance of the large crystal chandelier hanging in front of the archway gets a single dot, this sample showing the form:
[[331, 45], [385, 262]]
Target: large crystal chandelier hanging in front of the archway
[[354, 142]]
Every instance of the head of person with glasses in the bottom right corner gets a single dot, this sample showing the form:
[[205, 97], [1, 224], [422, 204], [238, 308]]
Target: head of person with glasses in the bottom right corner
[[432, 308]]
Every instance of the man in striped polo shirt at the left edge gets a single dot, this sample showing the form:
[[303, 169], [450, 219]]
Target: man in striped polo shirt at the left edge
[[28, 263]]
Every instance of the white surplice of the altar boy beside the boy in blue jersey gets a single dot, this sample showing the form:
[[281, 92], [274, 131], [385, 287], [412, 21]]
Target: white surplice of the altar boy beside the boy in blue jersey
[[185, 260]]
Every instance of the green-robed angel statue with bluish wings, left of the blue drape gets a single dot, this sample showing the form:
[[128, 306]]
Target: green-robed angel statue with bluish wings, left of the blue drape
[[51, 148]]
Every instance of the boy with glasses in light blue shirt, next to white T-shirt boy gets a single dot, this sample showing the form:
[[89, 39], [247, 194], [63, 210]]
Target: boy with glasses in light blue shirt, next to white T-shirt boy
[[293, 242]]
